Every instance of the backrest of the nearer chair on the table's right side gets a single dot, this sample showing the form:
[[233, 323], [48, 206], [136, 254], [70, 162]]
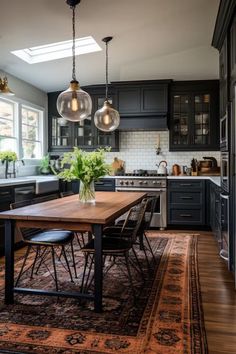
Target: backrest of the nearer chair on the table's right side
[[133, 222]]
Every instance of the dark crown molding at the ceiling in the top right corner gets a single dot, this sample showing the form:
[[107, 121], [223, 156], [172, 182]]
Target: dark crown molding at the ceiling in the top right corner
[[225, 13]]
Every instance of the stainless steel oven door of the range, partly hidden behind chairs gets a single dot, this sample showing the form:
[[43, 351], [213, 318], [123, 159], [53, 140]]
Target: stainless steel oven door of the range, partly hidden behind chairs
[[159, 218]]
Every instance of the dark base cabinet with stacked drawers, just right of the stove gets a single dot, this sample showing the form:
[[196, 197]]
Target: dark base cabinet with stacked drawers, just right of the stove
[[186, 202]]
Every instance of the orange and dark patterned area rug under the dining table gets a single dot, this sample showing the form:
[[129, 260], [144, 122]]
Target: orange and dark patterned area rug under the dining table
[[166, 316]]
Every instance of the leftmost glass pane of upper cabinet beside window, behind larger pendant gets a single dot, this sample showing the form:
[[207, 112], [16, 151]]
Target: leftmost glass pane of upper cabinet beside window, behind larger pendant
[[60, 132]]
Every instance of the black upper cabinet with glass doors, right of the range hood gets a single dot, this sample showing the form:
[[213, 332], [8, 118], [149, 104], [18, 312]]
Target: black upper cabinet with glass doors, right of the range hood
[[194, 116]]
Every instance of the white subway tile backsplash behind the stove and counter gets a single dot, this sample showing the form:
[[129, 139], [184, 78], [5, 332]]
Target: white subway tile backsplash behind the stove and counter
[[138, 150]]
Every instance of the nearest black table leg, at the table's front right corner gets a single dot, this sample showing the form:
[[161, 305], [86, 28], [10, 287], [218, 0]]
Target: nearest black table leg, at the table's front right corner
[[97, 230]]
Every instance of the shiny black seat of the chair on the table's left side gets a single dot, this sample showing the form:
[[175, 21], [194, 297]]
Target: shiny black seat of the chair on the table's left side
[[51, 237]]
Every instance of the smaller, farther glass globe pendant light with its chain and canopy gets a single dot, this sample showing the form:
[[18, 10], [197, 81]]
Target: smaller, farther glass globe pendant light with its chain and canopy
[[107, 118]]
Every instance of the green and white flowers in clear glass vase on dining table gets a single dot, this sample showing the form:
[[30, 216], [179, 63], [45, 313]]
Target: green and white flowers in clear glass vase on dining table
[[87, 167]]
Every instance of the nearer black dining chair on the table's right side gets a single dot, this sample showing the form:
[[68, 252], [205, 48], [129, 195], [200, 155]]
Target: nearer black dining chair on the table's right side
[[117, 247]]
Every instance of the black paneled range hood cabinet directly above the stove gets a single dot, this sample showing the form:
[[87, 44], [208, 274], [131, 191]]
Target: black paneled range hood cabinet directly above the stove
[[142, 104]]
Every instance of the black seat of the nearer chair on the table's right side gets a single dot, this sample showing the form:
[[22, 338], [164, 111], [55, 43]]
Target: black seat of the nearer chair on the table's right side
[[109, 245]]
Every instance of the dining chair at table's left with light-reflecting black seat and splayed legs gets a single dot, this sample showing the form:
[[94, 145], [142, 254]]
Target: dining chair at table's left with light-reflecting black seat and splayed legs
[[48, 240]]
